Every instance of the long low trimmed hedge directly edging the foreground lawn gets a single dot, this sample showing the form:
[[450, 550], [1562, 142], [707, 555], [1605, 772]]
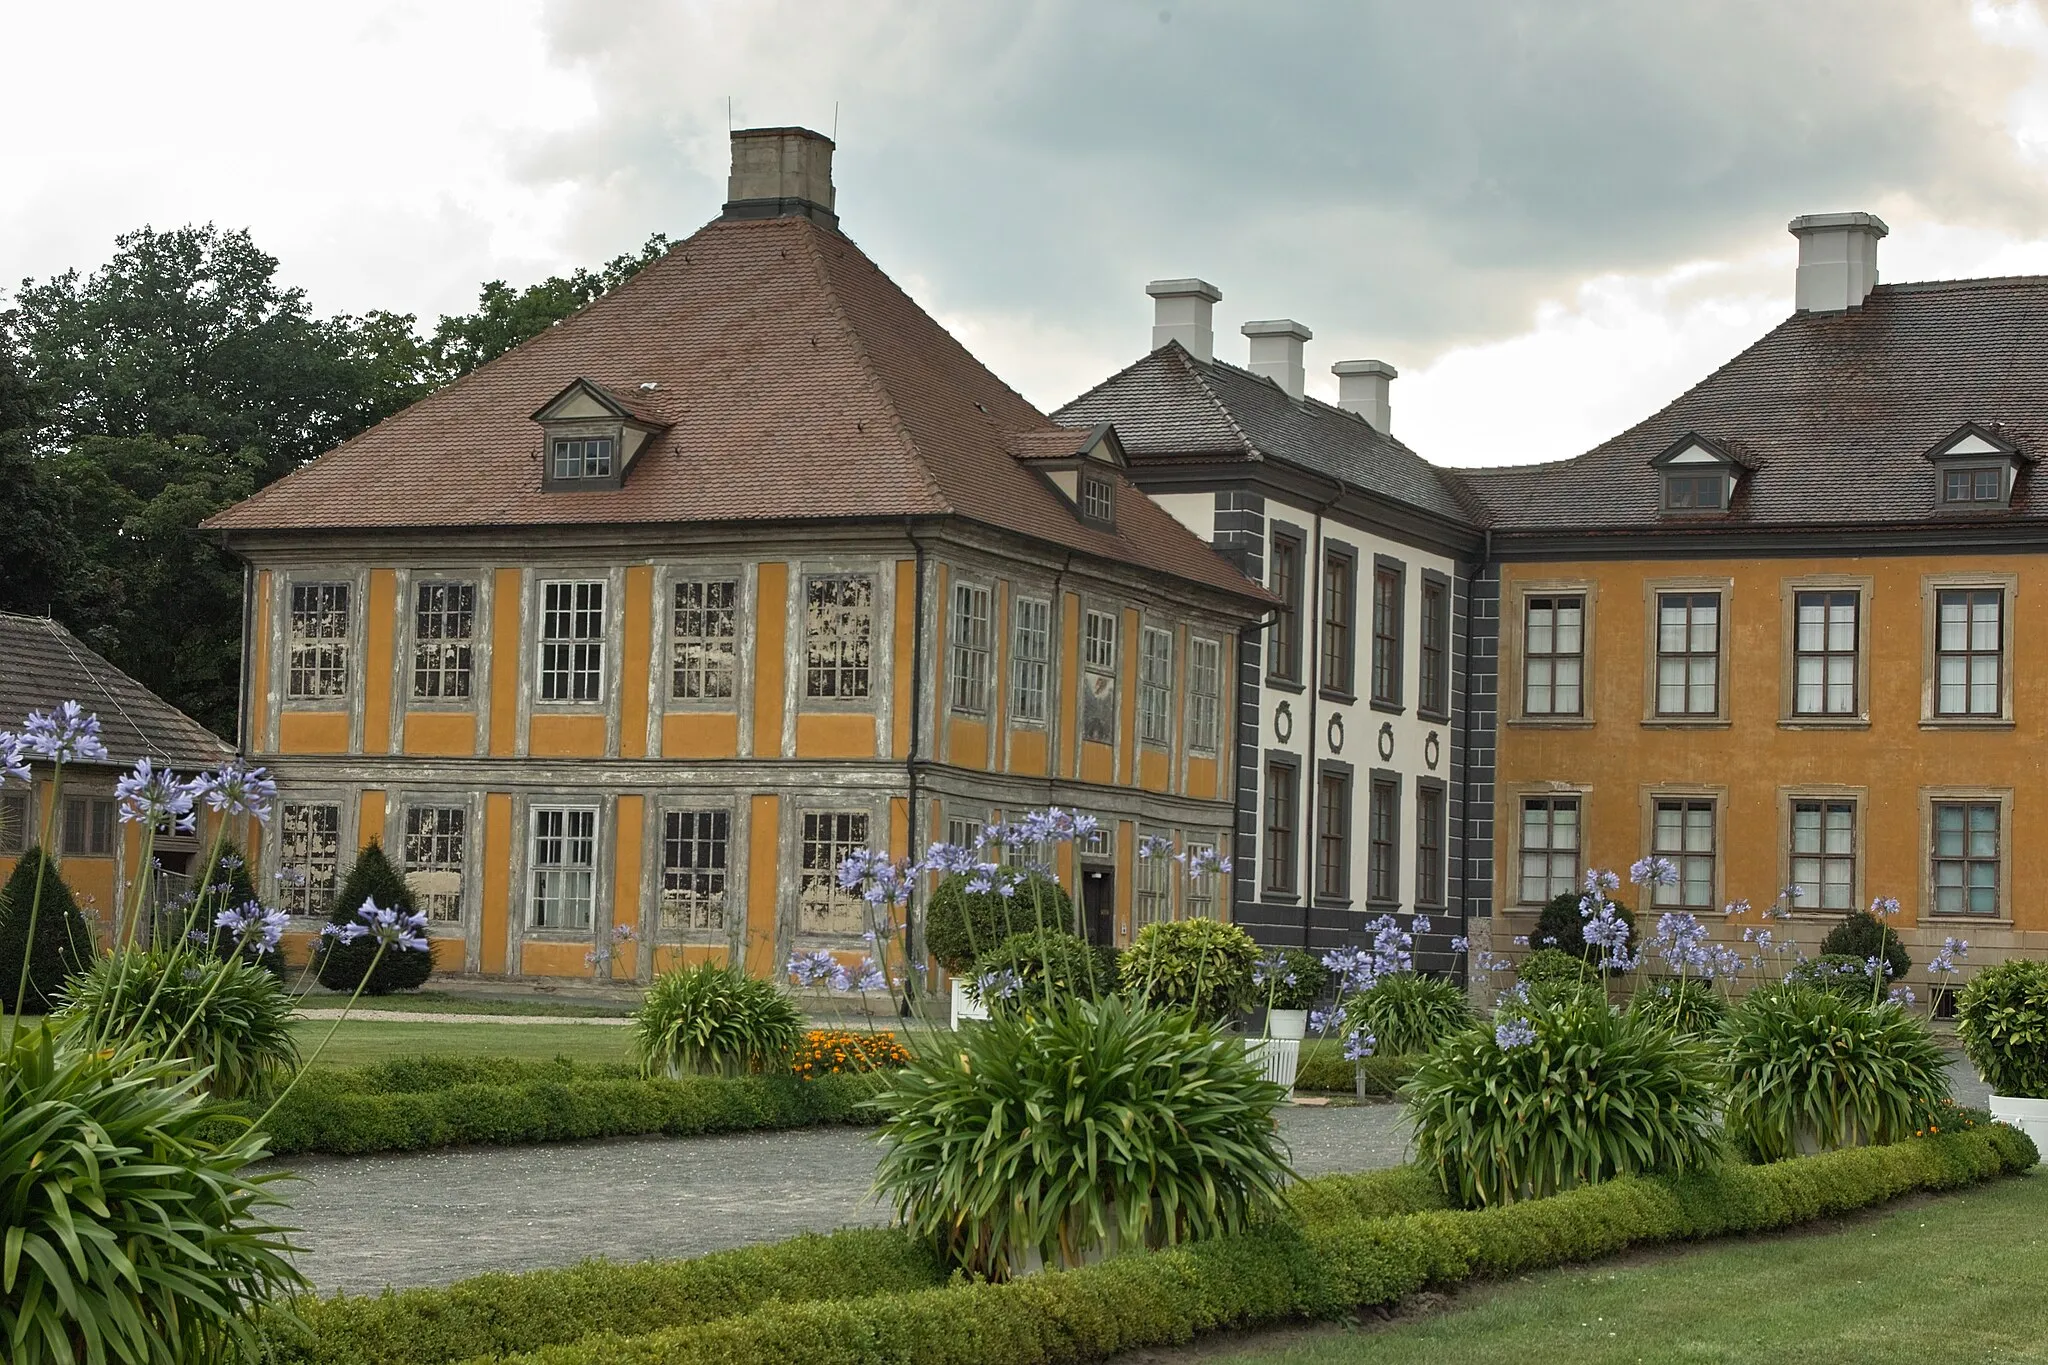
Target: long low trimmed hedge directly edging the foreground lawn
[[1326, 1268]]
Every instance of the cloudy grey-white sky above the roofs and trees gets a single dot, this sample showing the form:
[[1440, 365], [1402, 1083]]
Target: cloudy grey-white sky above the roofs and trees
[[1549, 218]]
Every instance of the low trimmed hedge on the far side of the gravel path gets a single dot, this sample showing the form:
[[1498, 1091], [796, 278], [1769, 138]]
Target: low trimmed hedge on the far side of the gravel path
[[413, 1104]]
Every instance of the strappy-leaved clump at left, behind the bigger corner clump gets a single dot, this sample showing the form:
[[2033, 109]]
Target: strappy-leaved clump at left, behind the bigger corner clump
[[226, 1016]]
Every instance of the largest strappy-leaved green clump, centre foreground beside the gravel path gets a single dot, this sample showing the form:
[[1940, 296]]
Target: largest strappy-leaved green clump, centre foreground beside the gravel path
[[1089, 1127]]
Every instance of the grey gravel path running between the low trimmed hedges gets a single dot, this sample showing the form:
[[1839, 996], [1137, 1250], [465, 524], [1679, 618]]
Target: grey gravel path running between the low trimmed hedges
[[437, 1217]]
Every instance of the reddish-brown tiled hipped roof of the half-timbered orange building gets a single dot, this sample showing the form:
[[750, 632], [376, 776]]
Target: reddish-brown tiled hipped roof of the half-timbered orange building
[[798, 382]]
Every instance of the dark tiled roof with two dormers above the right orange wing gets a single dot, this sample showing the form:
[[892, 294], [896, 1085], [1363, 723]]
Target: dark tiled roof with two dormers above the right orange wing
[[1832, 414]]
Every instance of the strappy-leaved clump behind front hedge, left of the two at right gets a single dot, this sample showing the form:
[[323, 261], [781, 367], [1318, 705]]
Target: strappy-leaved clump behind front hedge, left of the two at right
[[1558, 1098]]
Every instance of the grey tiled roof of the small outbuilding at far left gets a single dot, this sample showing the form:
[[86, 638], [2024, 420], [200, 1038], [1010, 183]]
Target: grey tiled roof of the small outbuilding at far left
[[44, 664]]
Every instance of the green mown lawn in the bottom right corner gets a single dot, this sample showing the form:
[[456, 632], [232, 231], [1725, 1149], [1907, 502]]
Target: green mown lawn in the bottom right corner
[[1957, 1278]]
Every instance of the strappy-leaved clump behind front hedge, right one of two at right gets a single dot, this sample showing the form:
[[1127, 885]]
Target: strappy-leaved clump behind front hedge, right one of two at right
[[1816, 1069]]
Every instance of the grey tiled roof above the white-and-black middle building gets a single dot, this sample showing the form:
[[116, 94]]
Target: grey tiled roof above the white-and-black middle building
[[1172, 406]]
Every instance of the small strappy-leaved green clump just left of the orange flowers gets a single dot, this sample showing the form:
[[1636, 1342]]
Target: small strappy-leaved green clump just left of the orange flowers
[[714, 1020]]
